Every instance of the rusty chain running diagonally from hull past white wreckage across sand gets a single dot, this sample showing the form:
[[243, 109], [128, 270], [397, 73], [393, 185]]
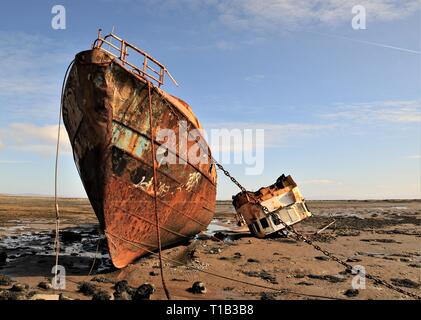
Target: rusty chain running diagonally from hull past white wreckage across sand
[[298, 235]]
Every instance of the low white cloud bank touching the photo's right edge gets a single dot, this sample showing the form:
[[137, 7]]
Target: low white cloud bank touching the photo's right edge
[[397, 111]]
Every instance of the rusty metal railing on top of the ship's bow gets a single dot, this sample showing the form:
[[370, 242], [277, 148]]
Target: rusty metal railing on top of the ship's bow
[[150, 69]]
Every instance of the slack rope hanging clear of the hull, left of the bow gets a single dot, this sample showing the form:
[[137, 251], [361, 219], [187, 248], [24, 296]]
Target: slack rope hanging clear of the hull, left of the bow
[[57, 210]]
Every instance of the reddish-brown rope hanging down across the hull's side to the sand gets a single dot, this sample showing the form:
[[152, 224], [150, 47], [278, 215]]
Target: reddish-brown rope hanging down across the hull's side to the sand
[[155, 187]]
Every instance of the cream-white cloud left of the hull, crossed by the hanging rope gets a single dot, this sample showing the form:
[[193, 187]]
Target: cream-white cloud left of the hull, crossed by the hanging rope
[[26, 137]]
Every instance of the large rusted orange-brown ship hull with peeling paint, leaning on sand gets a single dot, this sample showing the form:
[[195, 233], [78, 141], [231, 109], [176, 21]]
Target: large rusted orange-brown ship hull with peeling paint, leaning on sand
[[105, 112]]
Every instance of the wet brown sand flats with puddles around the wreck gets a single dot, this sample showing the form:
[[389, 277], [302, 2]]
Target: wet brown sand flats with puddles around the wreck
[[382, 236]]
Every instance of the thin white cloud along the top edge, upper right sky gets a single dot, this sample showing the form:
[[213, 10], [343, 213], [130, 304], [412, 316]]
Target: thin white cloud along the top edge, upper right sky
[[271, 14]]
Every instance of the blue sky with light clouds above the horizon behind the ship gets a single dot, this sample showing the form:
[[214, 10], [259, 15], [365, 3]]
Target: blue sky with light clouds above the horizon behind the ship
[[341, 108]]
